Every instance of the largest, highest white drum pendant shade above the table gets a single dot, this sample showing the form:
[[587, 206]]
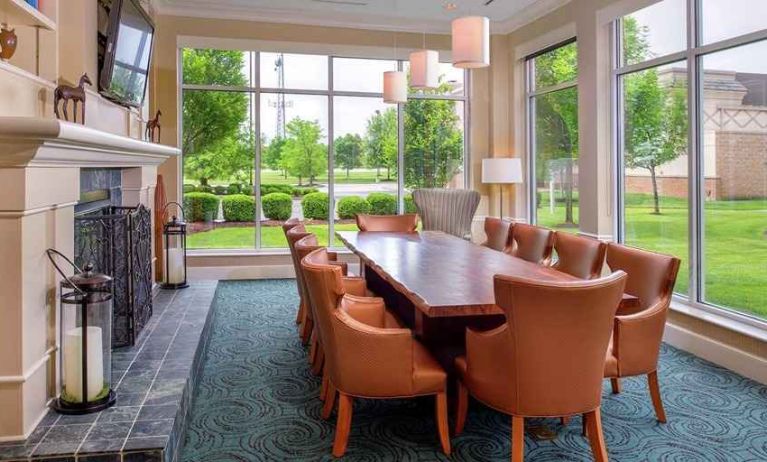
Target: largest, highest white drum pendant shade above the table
[[471, 42]]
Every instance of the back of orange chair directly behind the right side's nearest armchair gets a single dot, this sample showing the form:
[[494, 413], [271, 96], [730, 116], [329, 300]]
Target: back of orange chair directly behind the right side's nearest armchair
[[581, 257]]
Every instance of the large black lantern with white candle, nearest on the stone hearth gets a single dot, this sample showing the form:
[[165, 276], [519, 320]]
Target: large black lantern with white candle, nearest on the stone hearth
[[85, 339]]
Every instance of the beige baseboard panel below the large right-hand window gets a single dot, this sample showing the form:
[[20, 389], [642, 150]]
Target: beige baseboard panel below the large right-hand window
[[718, 353]]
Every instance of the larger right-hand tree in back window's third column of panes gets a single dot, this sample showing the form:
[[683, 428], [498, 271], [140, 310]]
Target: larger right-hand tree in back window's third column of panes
[[381, 141]]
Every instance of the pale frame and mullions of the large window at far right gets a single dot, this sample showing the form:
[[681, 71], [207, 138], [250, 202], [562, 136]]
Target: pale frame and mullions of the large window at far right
[[693, 55]]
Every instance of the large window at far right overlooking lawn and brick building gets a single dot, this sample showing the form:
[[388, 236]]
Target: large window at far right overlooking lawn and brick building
[[703, 202]]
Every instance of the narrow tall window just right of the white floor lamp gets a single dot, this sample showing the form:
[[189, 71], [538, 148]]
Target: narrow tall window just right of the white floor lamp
[[553, 132]]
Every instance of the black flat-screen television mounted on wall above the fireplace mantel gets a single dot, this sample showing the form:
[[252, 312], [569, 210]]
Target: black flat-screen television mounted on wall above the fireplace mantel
[[127, 51]]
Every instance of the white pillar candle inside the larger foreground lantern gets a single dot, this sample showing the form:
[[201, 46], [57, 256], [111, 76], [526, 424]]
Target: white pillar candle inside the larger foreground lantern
[[73, 363]]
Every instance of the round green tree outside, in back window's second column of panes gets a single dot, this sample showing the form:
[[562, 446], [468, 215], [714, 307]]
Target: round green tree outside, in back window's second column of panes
[[304, 155]]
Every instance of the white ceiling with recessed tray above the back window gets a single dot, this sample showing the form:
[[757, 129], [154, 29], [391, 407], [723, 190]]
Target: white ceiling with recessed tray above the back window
[[401, 15]]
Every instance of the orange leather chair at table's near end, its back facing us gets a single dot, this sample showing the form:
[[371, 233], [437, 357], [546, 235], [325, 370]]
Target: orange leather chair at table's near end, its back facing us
[[517, 369]]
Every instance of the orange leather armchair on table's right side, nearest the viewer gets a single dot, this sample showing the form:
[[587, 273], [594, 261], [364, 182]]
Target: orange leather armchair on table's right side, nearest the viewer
[[635, 345]]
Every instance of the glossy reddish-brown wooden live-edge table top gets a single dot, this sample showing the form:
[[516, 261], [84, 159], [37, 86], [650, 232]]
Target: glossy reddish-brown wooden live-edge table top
[[442, 275]]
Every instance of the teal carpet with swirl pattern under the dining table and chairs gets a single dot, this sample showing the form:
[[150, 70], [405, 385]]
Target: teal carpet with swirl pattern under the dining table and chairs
[[257, 401]]
